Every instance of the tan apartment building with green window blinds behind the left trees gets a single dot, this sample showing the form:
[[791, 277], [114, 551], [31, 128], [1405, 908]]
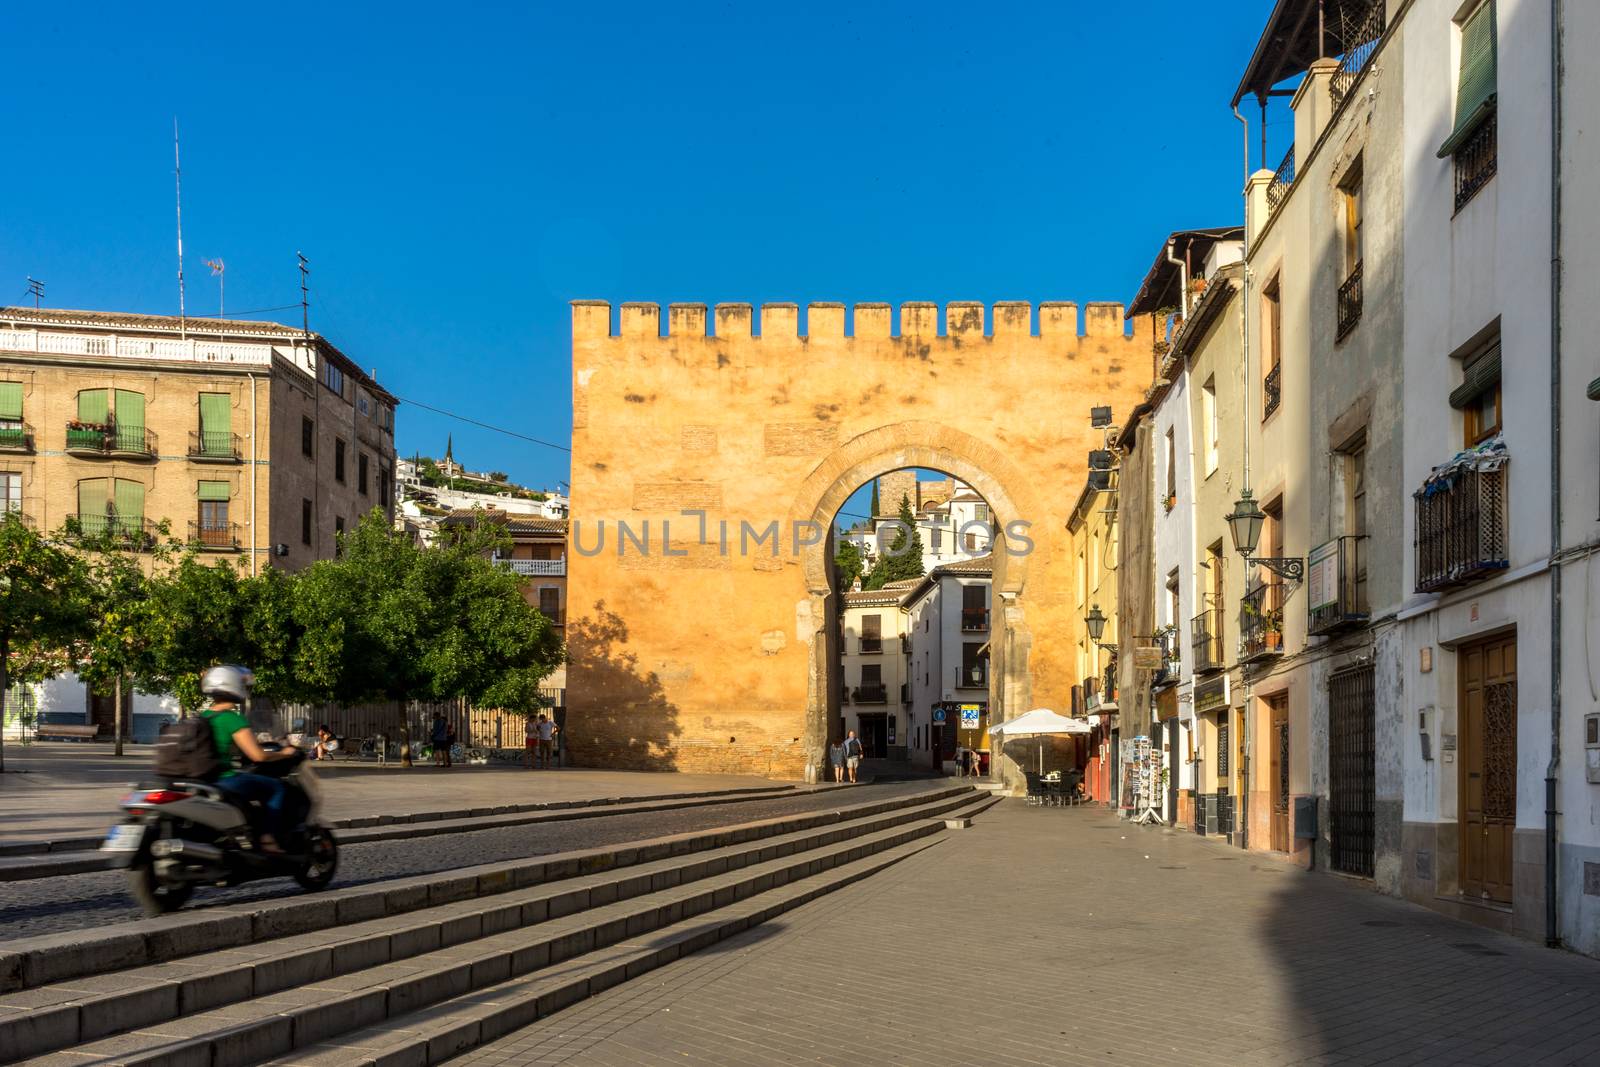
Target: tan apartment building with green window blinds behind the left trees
[[249, 441]]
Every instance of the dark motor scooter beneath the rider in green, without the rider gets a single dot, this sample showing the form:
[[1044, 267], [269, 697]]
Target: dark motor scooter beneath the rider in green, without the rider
[[178, 836]]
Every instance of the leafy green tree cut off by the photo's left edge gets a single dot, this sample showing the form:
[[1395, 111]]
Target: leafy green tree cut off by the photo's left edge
[[44, 593]]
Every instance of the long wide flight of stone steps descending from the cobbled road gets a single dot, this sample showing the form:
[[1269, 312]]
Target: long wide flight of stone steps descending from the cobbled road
[[425, 969]]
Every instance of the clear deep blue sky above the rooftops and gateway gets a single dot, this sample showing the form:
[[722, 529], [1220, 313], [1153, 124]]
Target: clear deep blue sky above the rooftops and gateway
[[457, 175]]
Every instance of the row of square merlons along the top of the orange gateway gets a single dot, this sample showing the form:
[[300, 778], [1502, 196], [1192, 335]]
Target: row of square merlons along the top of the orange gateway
[[873, 321]]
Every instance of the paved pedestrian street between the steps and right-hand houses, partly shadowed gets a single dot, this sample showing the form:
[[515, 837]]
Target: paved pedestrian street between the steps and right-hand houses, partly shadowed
[[1065, 937]]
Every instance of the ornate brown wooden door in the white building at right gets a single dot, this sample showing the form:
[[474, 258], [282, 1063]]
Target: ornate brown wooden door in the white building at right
[[1489, 767]]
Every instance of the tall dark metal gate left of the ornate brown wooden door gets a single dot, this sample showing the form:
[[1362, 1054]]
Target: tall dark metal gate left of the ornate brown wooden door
[[1351, 788]]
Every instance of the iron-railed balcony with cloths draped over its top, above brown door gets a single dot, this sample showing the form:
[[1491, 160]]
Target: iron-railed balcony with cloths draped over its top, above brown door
[[1462, 529]]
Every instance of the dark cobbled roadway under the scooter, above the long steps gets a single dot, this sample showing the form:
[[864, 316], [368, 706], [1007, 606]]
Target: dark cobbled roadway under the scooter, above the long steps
[[94, 900]]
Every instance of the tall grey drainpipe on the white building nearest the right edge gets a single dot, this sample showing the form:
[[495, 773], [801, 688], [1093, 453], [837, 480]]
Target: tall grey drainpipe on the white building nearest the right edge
[[1551, 858]]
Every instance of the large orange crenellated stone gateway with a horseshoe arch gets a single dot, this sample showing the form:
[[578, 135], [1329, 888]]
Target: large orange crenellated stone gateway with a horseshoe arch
[[708, 470]]
